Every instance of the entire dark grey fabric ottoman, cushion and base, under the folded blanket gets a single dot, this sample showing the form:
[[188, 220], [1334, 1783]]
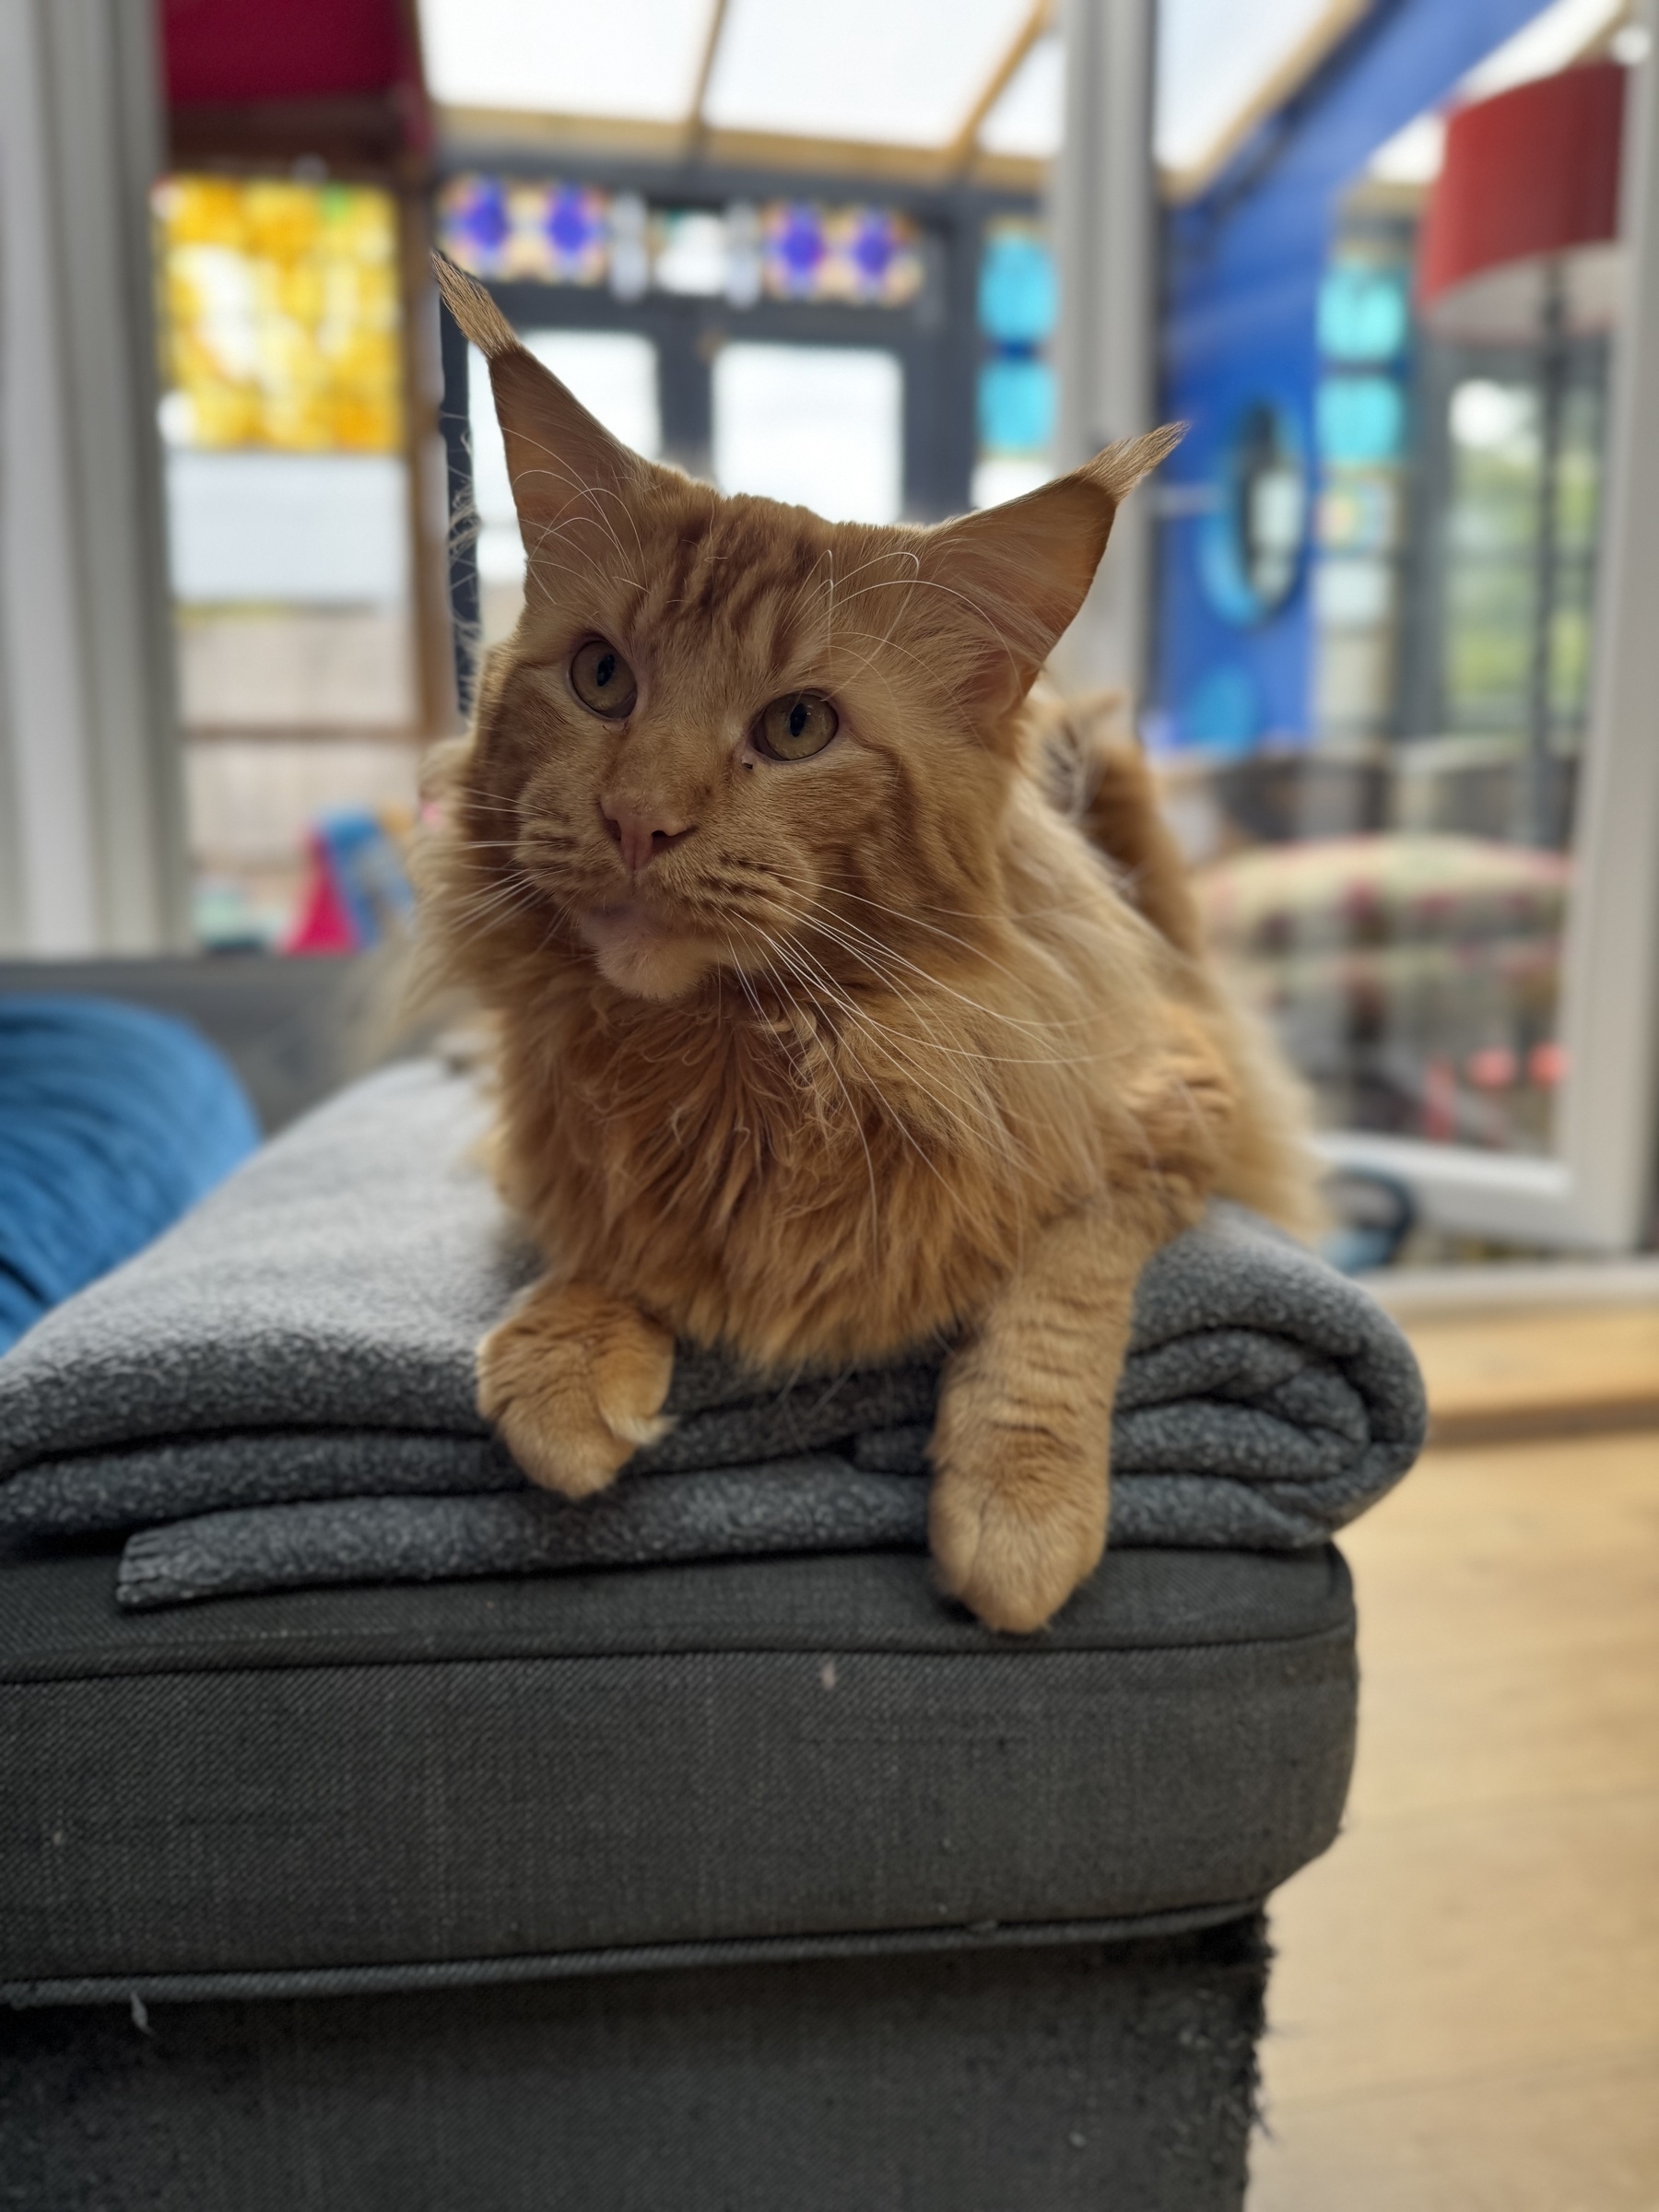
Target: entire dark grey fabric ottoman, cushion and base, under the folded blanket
[[755, 1886]]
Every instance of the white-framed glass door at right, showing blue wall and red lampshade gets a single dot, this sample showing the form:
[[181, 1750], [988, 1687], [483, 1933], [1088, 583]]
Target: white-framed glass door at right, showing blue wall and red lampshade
[[1397, 700]]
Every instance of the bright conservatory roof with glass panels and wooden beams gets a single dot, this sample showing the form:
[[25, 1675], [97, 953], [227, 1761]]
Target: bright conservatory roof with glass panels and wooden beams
[[924, 87]]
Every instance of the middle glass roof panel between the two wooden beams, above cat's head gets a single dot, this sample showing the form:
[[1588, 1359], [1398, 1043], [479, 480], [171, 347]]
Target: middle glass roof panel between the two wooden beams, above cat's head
[[884, 72]]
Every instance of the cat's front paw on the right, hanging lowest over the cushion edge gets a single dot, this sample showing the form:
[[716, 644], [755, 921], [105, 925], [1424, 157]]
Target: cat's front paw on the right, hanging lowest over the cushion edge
[[1016, 1521]]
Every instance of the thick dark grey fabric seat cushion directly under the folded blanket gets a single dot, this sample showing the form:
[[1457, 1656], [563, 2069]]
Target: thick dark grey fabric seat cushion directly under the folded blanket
[[492, 1775]]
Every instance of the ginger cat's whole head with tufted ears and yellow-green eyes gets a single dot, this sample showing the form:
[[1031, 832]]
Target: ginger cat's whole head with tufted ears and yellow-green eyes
[[731, 735]]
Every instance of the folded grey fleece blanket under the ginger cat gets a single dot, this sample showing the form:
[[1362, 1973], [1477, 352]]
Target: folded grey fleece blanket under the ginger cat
[[280, 1392]]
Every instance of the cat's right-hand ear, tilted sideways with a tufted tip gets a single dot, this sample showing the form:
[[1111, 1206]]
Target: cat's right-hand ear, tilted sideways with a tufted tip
[[1021, 572]]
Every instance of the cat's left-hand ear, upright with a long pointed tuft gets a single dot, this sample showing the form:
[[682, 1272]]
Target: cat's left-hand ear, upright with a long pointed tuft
[[559, 457]]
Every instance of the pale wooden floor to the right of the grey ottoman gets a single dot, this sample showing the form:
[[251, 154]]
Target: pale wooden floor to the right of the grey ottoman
[[1465, 2010]]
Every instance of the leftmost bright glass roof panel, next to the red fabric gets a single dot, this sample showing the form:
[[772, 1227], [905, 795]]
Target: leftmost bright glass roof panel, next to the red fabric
[[629, 59]]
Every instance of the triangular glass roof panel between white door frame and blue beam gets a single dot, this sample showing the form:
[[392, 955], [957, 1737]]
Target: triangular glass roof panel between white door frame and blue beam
[[1215, 59]]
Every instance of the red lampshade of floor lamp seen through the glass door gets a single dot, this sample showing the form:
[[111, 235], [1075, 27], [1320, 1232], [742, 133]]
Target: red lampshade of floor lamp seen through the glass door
[[1534, 171]]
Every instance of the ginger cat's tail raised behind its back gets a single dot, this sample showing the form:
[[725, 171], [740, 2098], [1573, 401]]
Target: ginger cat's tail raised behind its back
[[1098, 773]]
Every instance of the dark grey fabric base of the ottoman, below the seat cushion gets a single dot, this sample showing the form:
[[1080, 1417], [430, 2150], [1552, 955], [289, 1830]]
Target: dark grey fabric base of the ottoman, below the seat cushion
[[1050, 2080]]
